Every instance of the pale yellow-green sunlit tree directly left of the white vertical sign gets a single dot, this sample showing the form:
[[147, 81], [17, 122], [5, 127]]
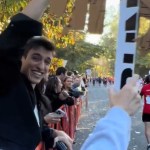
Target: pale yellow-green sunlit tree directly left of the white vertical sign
[[108, 43]]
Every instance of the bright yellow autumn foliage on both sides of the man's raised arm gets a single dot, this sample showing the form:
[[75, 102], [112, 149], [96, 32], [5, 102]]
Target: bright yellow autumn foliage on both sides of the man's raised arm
[[53, 25]]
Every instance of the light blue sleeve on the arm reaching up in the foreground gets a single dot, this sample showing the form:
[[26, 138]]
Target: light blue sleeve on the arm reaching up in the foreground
[[111, 132]]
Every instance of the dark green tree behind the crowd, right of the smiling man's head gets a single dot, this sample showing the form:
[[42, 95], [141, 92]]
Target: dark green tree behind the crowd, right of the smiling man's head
[[78, 54]]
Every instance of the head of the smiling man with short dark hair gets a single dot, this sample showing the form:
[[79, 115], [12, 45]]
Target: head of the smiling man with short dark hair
[[36, 59]]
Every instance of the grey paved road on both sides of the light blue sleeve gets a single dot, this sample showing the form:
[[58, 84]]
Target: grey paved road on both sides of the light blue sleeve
[[98, 106]]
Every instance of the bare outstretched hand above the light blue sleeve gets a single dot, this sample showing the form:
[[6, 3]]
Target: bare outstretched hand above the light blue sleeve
[[128, 97]]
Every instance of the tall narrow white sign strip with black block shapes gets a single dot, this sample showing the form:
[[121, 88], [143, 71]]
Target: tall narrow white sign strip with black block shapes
[[126, 45]]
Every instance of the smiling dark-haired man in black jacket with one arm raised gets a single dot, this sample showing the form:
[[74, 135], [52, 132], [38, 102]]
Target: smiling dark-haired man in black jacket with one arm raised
[[21, 126]]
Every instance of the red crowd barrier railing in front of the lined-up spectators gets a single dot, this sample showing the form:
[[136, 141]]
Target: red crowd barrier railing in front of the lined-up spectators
[[69, 123]]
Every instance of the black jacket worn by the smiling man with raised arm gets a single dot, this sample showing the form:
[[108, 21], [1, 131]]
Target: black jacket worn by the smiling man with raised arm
[[18, 126]]
